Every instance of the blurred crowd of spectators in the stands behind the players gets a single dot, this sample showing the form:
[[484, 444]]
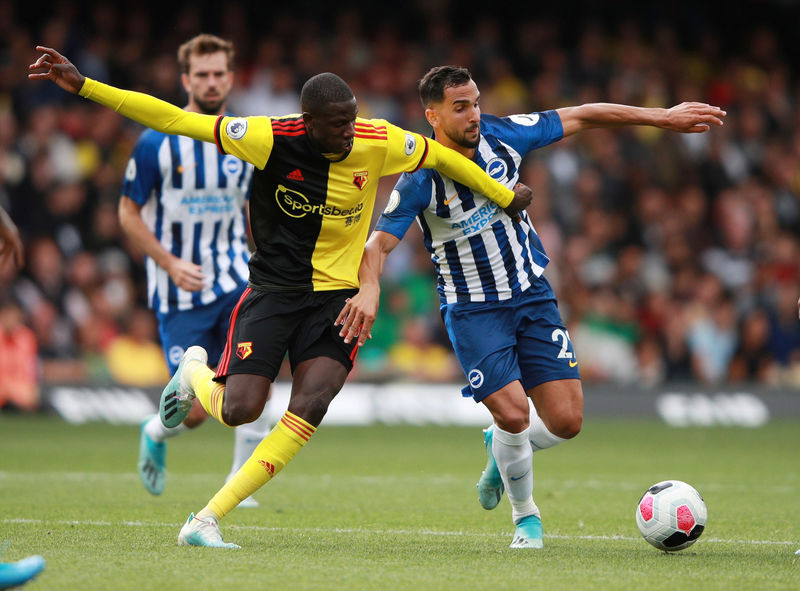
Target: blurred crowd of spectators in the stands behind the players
[[674, 257]]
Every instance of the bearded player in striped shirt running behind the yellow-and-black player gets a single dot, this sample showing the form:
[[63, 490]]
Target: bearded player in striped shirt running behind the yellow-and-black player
[[184, 205]]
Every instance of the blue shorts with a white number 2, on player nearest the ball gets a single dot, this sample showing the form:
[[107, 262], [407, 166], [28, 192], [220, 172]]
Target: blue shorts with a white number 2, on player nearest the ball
[[522, 338]]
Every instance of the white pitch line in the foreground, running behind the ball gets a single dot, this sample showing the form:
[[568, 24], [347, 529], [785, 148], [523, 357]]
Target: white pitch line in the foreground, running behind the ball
[[374, 531]]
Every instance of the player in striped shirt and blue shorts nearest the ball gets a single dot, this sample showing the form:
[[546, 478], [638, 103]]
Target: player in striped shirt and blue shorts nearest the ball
[[500, 312]]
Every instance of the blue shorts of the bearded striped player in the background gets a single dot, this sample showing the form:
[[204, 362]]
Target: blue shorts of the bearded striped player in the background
[[206, 326]]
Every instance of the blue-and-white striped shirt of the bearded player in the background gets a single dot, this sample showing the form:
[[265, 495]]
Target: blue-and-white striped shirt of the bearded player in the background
[[193, 201]]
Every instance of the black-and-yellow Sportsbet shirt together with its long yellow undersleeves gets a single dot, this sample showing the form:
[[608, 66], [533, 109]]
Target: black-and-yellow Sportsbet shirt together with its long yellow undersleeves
[[310, 214]]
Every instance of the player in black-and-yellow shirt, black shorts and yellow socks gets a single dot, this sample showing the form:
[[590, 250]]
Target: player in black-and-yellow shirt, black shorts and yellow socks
[[312, 200]]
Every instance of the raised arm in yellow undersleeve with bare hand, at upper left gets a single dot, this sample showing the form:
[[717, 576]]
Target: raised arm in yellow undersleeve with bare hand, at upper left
[[143, 108]]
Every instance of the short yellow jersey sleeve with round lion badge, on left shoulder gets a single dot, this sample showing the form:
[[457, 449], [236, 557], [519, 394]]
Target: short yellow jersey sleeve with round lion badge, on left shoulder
[[247, 138]]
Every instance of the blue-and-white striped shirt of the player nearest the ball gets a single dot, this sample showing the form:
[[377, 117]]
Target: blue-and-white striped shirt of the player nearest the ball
[[479, 253]]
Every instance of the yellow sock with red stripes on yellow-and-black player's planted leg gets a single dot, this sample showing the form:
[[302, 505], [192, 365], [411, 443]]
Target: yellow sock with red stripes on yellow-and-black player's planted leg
[[286, 439]]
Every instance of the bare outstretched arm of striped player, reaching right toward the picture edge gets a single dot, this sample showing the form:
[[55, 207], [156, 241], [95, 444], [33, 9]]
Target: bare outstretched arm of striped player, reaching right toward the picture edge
[[683, 118]]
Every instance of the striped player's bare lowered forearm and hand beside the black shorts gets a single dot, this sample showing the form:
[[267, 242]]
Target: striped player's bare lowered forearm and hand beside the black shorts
[[360, 311]]
